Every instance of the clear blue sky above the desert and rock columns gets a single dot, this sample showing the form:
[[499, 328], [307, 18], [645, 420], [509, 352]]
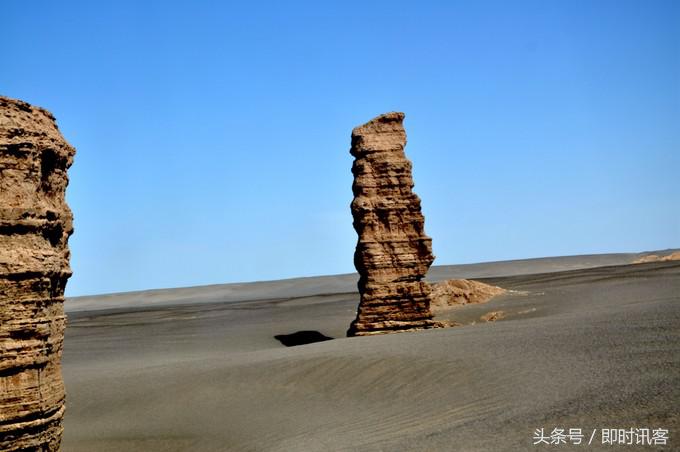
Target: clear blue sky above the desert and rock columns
[[213, 137]]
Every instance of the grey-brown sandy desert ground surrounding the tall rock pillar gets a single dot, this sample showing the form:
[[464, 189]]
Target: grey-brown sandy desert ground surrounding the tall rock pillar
[[586, 342]]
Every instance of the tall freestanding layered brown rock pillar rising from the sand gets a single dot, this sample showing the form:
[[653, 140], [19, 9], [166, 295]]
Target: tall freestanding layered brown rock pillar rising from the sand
[[393, 253]]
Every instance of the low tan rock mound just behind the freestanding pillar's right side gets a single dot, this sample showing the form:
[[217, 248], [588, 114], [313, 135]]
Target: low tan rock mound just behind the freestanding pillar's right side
[[456, 292]]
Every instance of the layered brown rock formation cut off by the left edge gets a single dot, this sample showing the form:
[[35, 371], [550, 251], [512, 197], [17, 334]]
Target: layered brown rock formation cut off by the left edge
[[35, 224]]
